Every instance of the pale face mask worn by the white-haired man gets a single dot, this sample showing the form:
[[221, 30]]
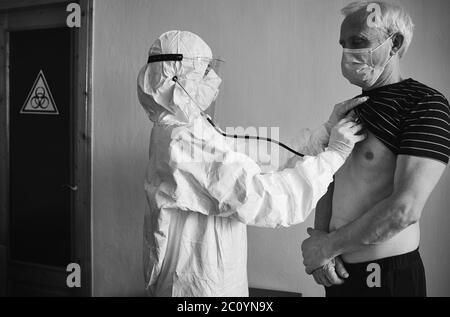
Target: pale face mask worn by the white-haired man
[[358, 67]]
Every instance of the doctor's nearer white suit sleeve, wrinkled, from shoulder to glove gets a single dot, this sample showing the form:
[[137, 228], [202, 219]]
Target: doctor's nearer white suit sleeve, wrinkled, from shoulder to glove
[[229, 184]]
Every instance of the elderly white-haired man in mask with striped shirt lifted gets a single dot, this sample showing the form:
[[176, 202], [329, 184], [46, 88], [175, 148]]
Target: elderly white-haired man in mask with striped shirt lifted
[[366, 236]]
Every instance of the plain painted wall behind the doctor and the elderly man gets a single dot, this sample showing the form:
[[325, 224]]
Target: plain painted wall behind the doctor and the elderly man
[[282, 70]]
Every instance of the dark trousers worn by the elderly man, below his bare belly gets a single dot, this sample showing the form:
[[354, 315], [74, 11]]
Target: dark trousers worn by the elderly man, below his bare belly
[[398, 276]]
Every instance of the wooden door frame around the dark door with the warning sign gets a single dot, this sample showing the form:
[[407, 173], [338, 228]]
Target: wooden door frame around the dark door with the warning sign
[[82, 104]]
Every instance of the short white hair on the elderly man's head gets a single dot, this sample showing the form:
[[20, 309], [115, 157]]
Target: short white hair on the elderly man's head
[[394, 19]]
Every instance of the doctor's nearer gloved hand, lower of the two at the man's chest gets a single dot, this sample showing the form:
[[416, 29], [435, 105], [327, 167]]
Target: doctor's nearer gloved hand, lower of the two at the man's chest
[[344, 136]]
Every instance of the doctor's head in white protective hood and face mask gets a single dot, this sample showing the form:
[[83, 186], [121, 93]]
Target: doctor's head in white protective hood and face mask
[[167, 101]]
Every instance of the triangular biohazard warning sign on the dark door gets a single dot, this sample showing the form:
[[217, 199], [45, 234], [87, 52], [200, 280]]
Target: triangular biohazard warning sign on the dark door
[[40, 99]]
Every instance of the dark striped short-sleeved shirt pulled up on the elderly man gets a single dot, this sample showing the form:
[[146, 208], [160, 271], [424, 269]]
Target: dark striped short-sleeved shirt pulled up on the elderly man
[[409, 118]]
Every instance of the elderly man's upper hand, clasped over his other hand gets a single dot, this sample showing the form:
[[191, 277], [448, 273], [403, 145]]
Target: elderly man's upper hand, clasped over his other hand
[[315, 250]]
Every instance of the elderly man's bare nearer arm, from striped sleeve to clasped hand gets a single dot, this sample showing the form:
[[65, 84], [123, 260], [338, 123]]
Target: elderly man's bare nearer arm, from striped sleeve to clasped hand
[[415, 179]]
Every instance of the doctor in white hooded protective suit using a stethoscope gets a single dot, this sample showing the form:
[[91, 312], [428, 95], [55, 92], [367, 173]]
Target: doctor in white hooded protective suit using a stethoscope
[[199, 206]]
